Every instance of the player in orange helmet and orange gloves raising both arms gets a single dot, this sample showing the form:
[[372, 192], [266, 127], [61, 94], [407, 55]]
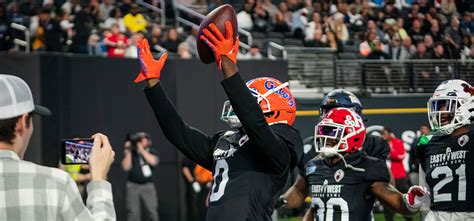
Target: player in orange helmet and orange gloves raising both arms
[[251, 161]]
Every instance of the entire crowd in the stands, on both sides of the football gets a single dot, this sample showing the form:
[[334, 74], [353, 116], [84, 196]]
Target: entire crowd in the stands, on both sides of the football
[[377, 29]]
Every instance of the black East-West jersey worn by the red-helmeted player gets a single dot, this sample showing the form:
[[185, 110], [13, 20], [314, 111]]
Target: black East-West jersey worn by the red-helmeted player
[[339, 193]]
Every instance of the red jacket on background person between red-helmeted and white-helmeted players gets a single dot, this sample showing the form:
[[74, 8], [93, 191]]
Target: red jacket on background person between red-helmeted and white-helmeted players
[[397, 153]]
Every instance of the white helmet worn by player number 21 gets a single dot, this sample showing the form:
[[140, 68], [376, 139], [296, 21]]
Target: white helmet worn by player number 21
[[450, 107]]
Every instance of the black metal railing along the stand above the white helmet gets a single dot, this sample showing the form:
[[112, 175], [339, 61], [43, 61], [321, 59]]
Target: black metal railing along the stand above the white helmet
[[409, 76]]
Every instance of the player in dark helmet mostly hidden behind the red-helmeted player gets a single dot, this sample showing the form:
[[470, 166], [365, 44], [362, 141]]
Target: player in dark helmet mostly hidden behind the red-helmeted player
[[374, 146]]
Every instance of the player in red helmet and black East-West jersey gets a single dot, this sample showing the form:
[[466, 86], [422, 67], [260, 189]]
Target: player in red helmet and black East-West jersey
[[343, 181]]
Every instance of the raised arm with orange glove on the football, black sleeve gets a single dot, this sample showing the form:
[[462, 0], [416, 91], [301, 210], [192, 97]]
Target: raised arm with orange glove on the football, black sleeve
[[271, 146]]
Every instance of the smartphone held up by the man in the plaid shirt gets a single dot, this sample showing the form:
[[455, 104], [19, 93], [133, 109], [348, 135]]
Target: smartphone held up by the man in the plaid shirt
[[76, 151]]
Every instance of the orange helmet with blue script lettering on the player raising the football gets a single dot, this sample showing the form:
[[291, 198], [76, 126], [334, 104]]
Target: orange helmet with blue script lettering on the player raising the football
[[275, 99]]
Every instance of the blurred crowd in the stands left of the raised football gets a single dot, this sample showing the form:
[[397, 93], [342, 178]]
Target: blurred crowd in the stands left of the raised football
[[102, 28]]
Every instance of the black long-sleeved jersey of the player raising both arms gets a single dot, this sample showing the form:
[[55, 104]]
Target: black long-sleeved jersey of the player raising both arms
[[250, 166]]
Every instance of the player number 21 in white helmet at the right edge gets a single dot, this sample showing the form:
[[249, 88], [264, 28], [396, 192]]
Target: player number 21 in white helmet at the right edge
[[446, 156]]
